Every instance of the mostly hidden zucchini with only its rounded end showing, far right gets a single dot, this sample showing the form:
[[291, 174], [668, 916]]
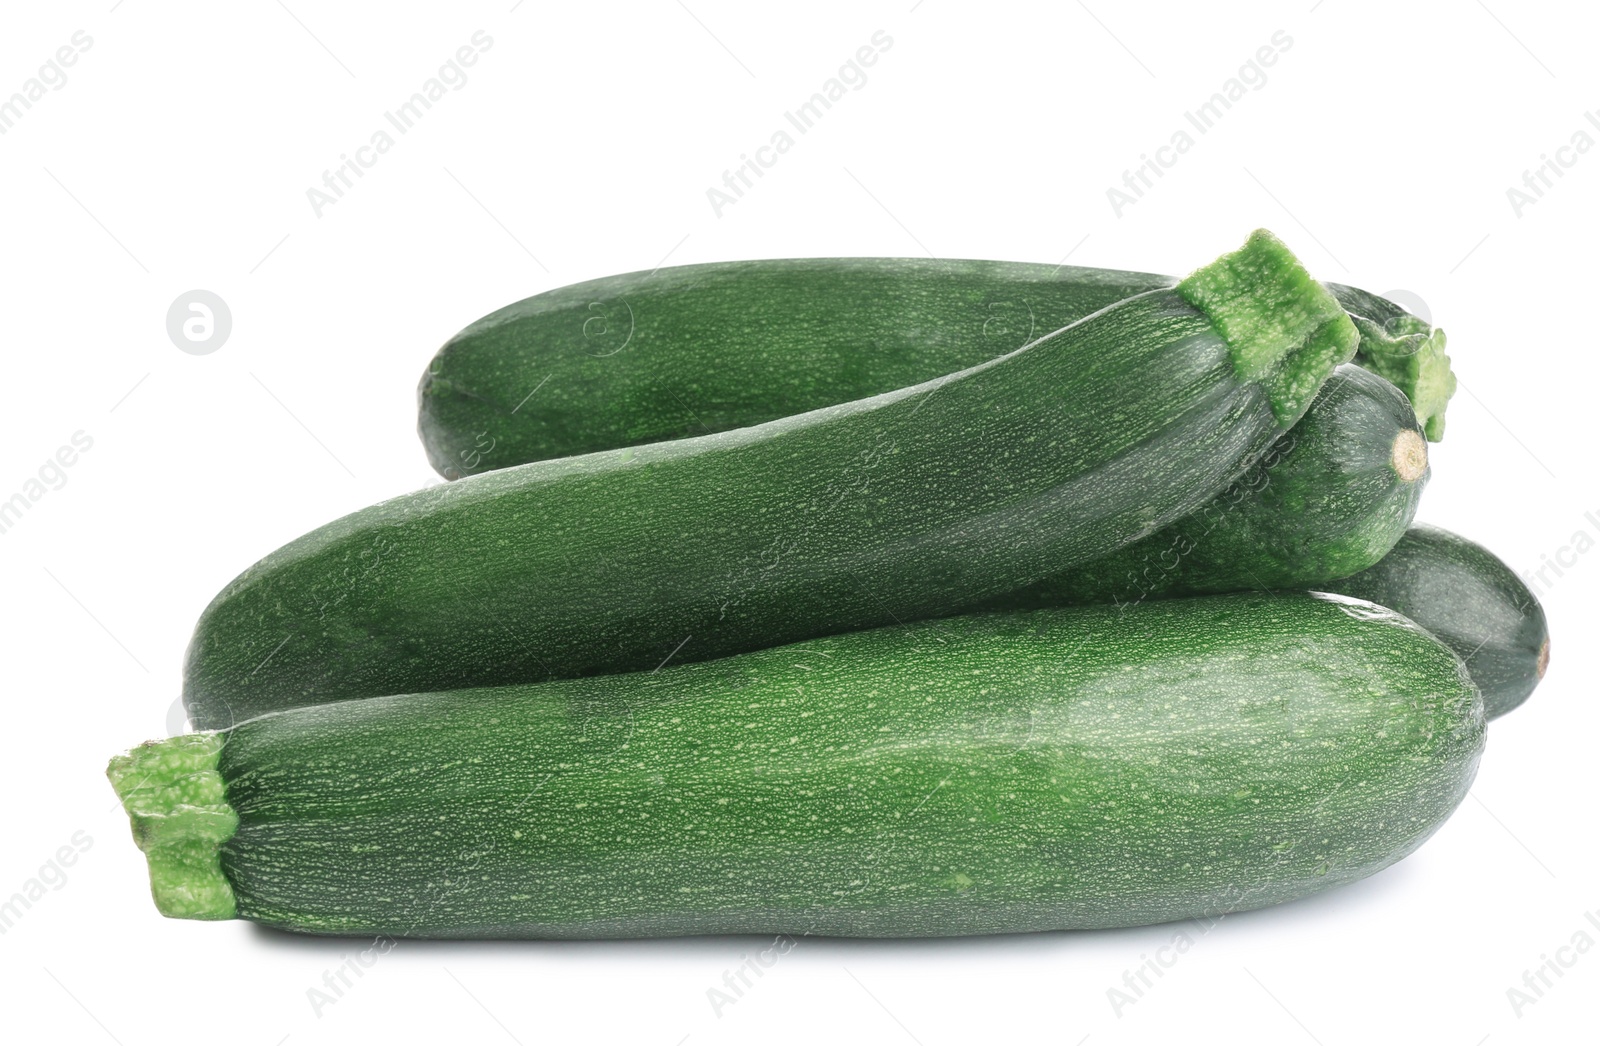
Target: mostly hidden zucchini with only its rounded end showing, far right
[[1473, 602]]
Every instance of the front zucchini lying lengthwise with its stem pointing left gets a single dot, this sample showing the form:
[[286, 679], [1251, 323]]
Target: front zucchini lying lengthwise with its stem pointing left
[[1058, 769]]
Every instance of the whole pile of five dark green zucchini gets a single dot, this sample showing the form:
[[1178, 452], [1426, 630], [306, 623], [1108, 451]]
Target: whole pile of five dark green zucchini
[[863, 597]]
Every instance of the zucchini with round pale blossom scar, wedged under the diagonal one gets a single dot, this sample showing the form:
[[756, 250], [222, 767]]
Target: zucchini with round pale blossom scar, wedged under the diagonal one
[[1329, 500]]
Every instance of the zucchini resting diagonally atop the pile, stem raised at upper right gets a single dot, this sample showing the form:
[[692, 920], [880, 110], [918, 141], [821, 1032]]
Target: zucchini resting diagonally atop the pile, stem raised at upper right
[[889, 509]]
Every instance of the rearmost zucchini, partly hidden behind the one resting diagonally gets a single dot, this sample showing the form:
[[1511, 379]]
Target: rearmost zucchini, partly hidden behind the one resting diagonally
[[686, 351]]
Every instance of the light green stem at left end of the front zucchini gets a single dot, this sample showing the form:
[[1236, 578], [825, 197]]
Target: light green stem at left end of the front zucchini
[[177, 802]]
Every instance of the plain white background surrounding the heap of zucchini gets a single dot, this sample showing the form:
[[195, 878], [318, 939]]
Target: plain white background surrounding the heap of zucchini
[[178, 154]]
